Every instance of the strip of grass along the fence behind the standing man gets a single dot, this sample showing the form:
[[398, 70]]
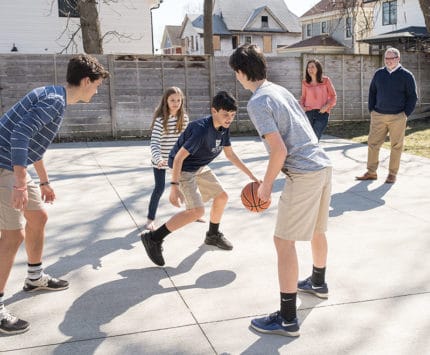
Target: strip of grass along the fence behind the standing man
[[417, 136]]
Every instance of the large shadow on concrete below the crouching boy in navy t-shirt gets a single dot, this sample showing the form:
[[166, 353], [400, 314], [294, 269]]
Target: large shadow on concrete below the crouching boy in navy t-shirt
[[100, 305]]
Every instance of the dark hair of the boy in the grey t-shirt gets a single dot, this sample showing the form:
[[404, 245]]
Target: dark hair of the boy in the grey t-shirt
[[250, 60]]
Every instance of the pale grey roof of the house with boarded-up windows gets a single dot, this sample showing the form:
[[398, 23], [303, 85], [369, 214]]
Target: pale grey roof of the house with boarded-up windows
[[236, 17]]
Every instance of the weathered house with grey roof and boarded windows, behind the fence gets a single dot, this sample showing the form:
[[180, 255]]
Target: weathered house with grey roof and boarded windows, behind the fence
[[267, 23]]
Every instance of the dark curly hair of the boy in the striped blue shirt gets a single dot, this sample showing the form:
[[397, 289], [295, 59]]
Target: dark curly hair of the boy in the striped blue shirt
[[83, 66]]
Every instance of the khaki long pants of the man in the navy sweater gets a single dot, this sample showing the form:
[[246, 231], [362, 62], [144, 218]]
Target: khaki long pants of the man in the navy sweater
[[380, 126]]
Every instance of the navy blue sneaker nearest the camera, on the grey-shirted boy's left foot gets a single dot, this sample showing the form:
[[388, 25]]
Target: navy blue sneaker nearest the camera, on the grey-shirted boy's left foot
[[275, 324]]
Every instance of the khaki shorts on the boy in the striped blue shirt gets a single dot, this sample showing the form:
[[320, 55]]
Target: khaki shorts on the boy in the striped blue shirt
[[11, 218]]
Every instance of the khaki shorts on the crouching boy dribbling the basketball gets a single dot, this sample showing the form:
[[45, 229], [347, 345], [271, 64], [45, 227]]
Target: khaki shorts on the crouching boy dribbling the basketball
[[205, 181]]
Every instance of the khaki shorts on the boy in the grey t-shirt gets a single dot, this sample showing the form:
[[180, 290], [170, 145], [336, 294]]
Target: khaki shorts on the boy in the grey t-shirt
[[304, 205]]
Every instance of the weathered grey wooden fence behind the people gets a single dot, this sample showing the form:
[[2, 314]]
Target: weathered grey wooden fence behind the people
[[125, 103]]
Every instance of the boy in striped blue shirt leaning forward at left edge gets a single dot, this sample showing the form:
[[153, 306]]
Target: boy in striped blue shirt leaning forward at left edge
[[26, 131]]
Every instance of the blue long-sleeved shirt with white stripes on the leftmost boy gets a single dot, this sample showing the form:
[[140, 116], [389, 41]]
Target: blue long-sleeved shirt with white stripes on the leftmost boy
[[29, 127]]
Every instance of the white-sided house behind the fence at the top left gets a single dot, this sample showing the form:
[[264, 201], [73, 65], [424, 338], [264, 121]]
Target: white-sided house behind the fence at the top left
[[43, 26]]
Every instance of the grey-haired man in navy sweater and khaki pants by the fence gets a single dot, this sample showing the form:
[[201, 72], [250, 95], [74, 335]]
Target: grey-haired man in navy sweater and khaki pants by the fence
[[392, 98]]
